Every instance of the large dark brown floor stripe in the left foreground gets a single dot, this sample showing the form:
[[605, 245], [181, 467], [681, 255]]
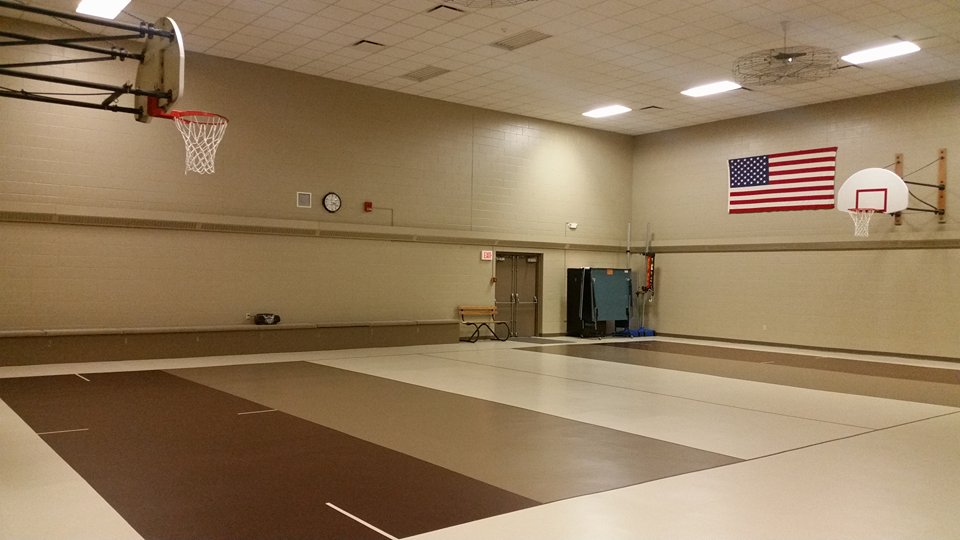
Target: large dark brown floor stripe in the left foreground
[[176, 460]]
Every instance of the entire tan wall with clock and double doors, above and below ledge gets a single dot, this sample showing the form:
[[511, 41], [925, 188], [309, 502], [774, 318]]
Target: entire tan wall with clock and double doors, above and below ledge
[[479, 179]]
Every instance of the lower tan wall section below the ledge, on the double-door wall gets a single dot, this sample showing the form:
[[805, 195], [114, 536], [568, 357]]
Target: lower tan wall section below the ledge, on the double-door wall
[[58, 276]]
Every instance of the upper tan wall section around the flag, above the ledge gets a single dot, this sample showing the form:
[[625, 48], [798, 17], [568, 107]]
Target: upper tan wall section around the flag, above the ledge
[[680, 176]]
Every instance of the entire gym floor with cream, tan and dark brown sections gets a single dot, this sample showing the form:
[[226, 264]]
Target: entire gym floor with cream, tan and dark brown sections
[[544, 439]]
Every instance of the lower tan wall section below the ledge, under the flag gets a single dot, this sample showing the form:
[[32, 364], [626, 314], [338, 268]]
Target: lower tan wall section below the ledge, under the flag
[[898, 302]]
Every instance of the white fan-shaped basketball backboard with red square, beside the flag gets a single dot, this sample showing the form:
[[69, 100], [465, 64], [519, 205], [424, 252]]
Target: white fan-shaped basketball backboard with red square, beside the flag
[[876, 189]]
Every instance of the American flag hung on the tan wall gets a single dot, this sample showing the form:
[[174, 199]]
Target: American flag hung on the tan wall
[[801, 180]]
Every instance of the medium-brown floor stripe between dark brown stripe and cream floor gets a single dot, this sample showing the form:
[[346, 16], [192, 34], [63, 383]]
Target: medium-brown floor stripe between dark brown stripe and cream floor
[[539, 456]]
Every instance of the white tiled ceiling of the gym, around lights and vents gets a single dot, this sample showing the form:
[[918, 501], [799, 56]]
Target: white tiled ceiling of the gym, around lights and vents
[[636, 51]]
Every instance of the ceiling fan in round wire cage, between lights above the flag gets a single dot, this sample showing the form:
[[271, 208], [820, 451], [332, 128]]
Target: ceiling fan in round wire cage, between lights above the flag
[[787, 65]]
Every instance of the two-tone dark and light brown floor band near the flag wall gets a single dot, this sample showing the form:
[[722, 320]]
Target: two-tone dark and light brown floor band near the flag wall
[[911, 383]]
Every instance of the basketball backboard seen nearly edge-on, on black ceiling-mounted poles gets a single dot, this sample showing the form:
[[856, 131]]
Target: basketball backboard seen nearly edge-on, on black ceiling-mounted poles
[[161, 69]]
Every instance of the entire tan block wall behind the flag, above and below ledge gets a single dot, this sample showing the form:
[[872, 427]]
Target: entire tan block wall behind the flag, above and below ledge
[[889, 300]]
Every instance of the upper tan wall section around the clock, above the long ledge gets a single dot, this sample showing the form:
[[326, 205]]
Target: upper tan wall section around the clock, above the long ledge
[[422, 162]]
